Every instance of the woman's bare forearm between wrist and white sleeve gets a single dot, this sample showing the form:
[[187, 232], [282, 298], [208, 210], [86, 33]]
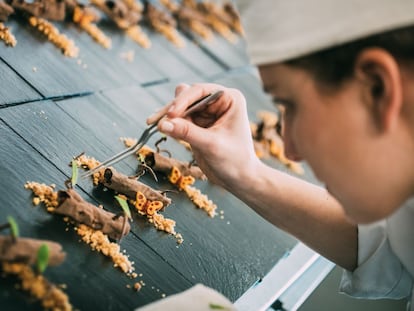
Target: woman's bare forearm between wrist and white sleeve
[[302, 209]]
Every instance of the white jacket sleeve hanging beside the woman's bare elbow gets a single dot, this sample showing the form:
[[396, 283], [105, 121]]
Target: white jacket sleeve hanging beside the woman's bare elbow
[[379, 273]]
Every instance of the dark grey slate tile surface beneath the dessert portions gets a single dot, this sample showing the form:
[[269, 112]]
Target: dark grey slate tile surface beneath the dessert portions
[[89, 109]]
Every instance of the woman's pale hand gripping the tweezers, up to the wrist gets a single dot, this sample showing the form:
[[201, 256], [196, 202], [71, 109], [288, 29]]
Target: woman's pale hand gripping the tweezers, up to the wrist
[[220, 135]]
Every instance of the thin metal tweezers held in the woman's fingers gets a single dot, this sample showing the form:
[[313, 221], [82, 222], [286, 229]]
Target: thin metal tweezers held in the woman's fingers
[[151, 129]]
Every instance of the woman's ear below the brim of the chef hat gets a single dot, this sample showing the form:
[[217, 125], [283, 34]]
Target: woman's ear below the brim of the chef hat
[[381, 82]]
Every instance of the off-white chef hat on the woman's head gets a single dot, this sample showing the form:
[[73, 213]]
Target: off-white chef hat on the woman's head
[[281, 30]]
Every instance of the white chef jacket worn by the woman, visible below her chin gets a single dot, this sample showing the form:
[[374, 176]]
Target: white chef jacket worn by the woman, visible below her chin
[[385, 259]]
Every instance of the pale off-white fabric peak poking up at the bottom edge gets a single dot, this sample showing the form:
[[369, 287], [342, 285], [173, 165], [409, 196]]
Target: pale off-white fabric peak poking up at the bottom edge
[[197, 298]]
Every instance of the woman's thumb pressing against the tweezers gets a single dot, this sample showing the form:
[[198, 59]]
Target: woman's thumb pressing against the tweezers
[[183, 130]]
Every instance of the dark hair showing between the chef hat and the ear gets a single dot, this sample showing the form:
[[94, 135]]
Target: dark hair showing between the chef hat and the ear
[[335, 65]]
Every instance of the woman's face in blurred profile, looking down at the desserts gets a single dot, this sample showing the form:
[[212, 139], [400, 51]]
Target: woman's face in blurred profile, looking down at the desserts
[[334, 132]]
